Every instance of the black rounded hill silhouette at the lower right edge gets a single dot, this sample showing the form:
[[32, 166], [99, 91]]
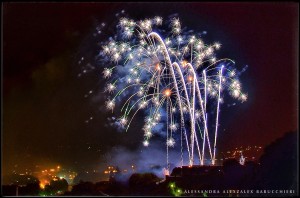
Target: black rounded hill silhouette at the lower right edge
[[278, 164]]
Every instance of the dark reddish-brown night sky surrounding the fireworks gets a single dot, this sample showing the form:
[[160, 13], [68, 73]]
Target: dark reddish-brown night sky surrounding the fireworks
[[43, 105]]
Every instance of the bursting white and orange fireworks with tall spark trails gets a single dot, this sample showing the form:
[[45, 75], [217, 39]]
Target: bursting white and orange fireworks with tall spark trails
[[177, 73]]
